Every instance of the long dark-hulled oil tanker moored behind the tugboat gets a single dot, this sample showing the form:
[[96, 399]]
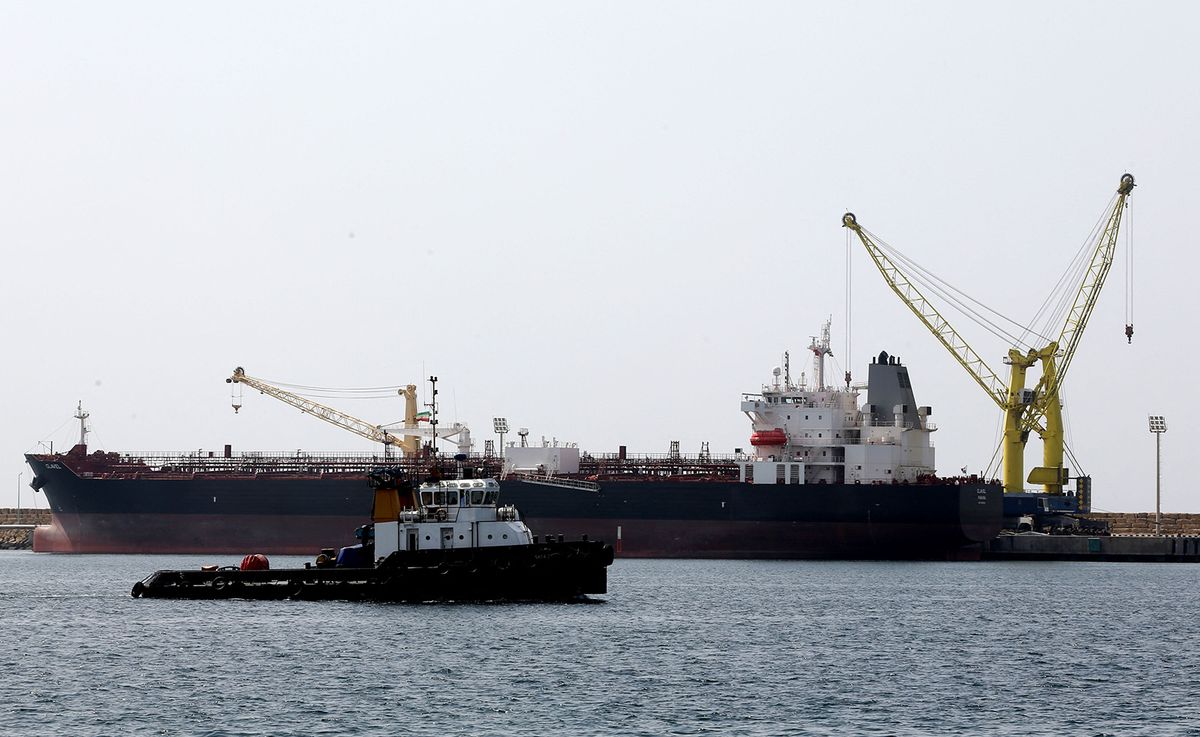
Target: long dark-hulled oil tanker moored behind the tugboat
[[826, 478]]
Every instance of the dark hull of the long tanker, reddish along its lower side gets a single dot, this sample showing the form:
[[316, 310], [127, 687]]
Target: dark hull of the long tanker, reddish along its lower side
[[301, 513]]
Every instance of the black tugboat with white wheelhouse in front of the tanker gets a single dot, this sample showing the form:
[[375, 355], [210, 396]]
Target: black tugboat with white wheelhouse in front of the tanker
[[452, 541]]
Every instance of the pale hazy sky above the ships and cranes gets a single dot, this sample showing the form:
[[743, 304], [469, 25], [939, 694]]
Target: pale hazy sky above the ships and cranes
[[603, 221]]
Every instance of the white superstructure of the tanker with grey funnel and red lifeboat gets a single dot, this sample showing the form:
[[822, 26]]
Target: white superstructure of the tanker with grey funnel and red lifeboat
[[821, 435]]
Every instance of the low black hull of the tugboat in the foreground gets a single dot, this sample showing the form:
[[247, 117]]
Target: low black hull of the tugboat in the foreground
[[547, 572]]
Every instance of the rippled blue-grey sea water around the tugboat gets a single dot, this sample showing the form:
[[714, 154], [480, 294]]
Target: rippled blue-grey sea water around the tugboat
[[679, 648]]
